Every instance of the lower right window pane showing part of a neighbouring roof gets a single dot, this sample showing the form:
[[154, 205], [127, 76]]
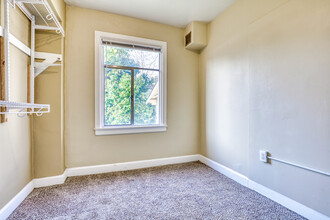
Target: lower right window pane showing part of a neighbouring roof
[[146, 96]]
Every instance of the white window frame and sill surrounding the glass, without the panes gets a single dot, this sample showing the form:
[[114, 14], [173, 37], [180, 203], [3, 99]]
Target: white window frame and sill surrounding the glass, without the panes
[[100, 128]]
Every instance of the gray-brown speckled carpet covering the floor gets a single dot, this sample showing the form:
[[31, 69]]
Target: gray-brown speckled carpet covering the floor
[[183, 191]]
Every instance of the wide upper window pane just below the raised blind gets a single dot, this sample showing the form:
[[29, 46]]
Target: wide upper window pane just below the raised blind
[[130, 57]]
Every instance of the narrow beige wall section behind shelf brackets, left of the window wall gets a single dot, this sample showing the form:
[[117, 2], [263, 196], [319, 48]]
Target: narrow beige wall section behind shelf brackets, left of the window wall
[[48, 130]]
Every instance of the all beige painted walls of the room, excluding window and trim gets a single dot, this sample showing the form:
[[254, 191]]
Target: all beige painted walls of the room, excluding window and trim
[[263, 84]]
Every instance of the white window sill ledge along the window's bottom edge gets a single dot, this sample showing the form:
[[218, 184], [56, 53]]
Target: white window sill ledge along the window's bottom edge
[[129, 130]]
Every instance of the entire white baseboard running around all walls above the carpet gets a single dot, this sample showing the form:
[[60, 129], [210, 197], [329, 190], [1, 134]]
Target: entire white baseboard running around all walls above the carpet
[[88, 170]]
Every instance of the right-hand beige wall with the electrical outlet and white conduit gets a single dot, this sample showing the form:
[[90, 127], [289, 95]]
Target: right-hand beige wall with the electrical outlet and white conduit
[[265, 85]]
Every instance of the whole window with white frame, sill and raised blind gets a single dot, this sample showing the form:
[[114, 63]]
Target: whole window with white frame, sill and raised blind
[[130, 84]]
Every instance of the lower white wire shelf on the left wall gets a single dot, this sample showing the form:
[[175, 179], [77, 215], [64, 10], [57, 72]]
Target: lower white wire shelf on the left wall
[[22, 109]]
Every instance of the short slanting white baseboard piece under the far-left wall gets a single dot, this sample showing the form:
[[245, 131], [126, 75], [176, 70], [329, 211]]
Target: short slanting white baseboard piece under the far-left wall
[[16, 201]]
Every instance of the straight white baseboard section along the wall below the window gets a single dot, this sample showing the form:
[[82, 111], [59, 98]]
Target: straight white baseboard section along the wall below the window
[[88, 170]]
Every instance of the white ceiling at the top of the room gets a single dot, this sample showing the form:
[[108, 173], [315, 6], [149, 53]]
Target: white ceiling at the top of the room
[[173, 12]]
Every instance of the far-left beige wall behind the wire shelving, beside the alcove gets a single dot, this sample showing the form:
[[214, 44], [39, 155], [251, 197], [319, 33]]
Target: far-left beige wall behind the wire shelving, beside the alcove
[[15, 142]]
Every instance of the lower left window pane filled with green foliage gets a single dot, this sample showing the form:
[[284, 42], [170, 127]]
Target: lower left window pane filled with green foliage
[[117, 103]]
